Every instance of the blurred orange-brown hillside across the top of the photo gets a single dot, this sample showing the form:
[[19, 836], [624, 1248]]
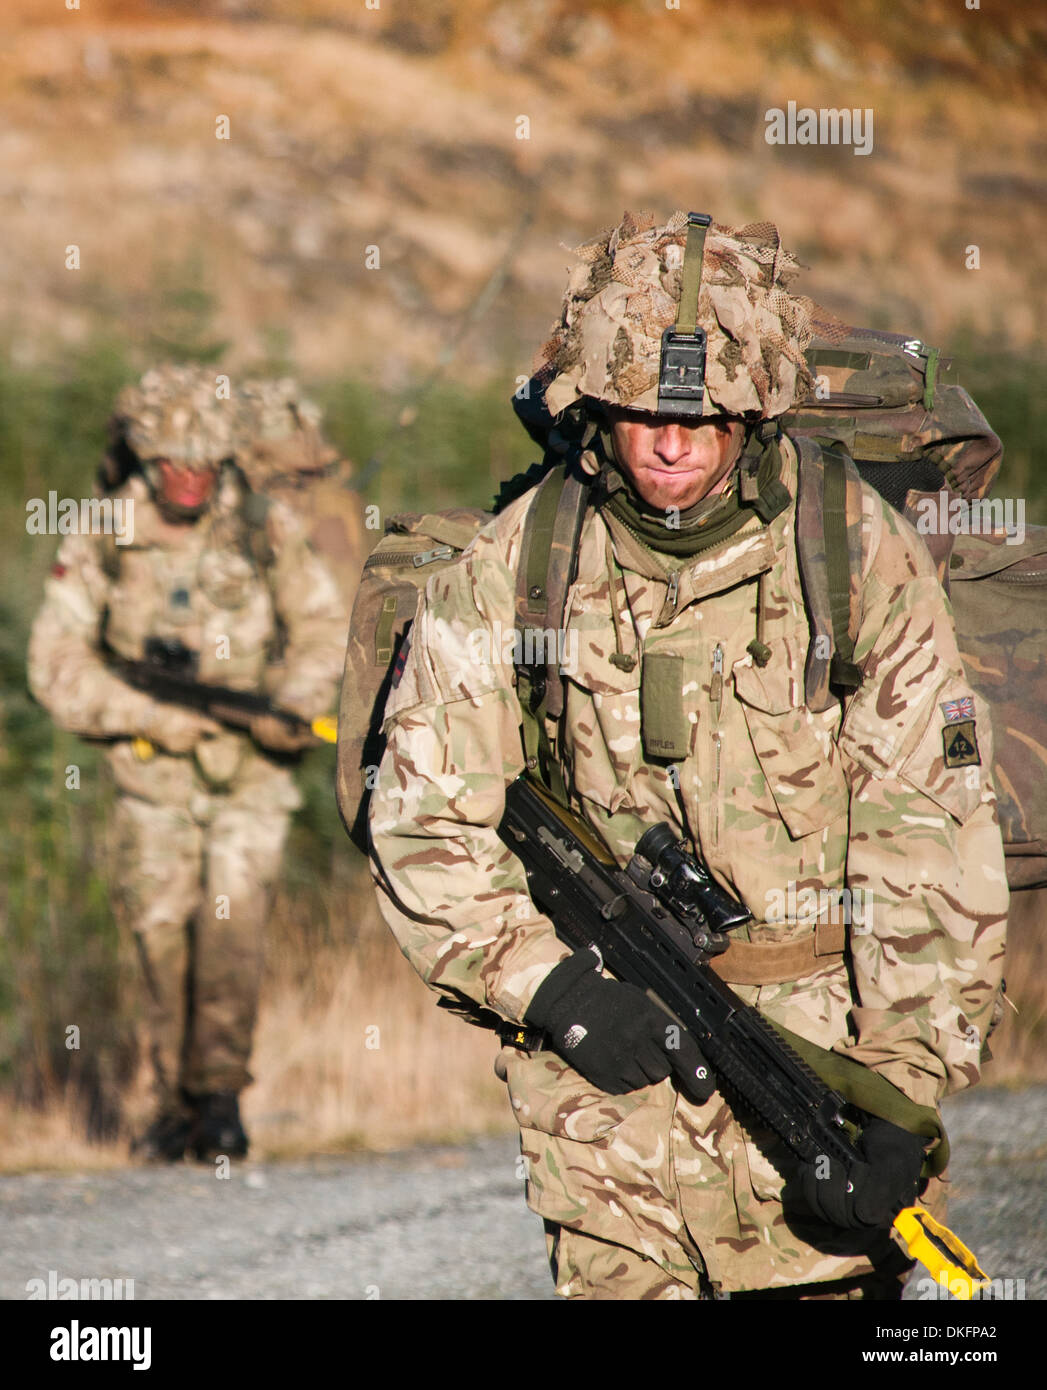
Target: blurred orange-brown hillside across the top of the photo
[[457, 138]]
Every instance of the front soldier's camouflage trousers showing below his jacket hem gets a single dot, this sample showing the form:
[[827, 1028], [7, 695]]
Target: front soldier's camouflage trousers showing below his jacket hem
[[585, 1267]]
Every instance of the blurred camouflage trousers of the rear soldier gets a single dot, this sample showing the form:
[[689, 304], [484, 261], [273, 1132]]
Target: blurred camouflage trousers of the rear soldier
[[195, 892]]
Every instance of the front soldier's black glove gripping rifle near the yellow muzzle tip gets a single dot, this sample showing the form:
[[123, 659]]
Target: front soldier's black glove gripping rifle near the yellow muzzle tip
[[881, 1185]]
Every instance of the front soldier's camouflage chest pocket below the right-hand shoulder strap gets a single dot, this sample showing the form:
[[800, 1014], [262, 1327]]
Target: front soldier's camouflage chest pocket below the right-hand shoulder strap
[[796, 751]]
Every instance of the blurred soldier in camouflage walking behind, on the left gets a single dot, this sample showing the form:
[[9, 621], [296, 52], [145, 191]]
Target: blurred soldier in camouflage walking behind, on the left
[[204, 810]]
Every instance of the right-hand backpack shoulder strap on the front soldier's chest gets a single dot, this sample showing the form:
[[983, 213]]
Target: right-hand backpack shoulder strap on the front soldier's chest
[[829, 548]]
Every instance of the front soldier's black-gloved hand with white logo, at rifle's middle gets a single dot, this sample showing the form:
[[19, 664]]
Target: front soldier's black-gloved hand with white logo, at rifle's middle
[[614, 1035]]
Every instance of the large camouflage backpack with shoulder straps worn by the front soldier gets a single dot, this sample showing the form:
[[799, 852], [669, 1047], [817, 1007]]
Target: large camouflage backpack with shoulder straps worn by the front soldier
[[914, 440]]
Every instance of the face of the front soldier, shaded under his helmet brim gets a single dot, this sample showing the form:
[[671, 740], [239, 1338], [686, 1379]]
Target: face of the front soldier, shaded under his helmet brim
[[675, 465]]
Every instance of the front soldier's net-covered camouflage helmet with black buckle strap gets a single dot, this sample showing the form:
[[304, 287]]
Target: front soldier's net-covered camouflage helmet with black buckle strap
[[689, 320]]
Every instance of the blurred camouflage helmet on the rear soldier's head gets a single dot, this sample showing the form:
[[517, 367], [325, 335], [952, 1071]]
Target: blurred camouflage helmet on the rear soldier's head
[[174, 414]]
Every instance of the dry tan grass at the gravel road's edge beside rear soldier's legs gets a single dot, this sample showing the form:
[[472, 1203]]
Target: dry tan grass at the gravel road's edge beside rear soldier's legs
[[350, 1054]]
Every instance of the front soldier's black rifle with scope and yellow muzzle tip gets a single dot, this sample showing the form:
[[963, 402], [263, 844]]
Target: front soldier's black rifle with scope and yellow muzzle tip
[[657, 925]]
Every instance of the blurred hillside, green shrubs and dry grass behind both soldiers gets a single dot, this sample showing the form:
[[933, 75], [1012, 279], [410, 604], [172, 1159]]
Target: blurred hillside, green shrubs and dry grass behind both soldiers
[[376, 129]]
